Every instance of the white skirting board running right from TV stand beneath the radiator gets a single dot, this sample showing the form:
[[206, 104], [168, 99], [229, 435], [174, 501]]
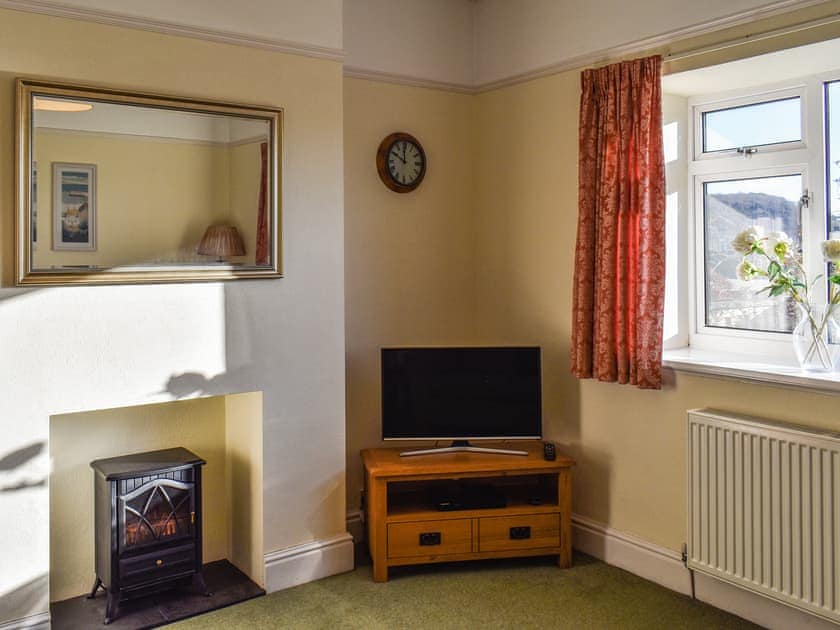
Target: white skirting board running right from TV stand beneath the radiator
[[665, 567]]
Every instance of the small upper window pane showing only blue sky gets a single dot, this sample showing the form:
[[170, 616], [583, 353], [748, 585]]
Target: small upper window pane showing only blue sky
[[755, 125]]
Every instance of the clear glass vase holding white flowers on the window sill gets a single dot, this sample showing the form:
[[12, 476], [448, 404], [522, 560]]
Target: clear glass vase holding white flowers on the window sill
[[816, 338]]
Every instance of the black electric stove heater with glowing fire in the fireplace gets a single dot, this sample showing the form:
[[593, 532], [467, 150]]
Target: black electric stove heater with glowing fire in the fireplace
[[147, 524]]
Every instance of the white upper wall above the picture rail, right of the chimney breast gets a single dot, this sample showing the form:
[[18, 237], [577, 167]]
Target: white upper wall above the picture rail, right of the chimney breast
[[478, 43]]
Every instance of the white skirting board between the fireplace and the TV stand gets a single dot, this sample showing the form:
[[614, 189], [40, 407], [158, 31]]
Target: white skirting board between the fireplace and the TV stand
[[308, 562]]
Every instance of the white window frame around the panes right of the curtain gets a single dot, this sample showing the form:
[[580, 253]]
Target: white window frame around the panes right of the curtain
[[807, 157]]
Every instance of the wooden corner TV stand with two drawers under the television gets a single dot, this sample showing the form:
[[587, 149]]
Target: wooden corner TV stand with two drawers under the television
[[405, 525]]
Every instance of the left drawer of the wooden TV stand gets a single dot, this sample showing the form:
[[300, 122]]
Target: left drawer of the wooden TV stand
[[429, 538]]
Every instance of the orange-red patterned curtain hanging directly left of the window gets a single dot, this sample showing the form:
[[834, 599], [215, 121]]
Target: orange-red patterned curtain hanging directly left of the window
[[619, 284]]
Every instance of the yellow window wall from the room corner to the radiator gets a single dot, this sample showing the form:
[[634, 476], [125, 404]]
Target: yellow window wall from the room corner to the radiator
[[629, 444]]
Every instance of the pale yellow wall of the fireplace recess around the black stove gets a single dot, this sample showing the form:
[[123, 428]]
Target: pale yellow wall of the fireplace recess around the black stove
[[76, 439]]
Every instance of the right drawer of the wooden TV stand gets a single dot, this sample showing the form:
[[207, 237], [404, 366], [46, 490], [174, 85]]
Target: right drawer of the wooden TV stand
[[531, 531]]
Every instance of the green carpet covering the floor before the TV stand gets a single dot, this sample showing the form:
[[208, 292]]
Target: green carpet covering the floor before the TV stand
[[521, 593]]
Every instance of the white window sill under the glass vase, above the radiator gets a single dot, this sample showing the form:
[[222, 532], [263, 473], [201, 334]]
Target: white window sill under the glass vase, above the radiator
[[749, 369]]
